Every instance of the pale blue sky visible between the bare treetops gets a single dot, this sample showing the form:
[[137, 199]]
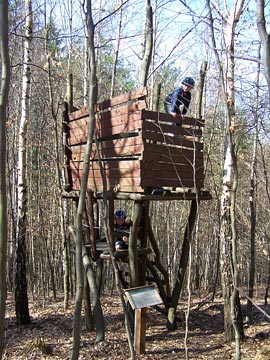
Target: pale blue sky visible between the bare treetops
[[182, 35]]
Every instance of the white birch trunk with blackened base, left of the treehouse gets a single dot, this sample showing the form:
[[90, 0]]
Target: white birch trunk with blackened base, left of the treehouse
[[21, 297]]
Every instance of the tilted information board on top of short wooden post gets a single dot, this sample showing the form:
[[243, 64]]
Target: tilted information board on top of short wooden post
[[144, 296]]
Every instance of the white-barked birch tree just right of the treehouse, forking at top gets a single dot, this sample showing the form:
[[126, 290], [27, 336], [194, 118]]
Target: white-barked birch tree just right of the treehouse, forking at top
[[228, 235]]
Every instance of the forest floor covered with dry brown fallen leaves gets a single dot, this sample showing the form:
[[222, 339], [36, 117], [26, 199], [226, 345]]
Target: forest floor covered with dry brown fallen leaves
[[51, 332]]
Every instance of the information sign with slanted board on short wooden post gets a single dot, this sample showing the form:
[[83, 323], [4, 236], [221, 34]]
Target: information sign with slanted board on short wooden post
[[140, 298]]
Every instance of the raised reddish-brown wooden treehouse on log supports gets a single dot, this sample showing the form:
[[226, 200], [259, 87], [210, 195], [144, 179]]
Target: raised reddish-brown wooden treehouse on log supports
[[138, 155]]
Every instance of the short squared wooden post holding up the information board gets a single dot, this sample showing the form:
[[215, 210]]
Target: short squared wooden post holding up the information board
[[140, 330]]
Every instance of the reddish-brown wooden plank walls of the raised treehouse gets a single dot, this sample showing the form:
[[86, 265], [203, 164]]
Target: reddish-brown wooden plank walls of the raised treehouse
[[138, 148]]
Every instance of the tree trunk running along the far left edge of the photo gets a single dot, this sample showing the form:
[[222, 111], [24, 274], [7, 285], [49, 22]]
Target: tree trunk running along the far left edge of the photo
[[4, 90]]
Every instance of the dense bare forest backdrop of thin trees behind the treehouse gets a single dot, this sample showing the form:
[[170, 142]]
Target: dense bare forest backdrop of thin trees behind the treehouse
[[184, 36]]
